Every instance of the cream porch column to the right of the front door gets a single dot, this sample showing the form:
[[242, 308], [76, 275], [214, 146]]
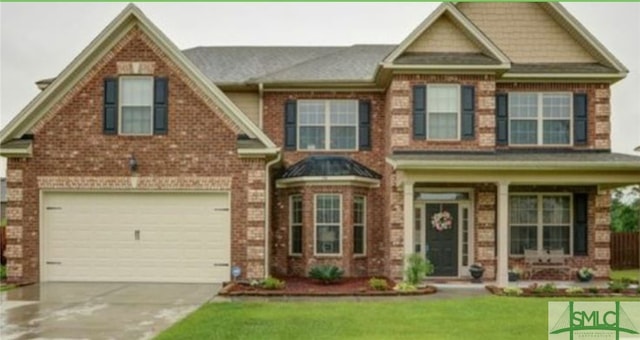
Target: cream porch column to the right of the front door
[[502, 265]]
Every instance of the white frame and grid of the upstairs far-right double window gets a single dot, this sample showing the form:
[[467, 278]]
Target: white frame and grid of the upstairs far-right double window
[[540, 119]]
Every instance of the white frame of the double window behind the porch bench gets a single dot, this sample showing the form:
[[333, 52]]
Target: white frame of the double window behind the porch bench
[[540, 222]]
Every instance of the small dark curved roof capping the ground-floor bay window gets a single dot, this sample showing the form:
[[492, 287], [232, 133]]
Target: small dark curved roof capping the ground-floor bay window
[[325, 166]]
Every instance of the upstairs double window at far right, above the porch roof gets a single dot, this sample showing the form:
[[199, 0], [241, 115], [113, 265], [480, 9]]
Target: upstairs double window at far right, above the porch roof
[[540, 118]]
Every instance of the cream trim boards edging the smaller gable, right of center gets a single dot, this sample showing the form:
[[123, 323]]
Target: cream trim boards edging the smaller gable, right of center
[[448, 9]]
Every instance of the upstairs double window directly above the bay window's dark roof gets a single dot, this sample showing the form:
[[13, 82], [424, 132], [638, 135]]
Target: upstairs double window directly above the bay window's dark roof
[[327, 124]]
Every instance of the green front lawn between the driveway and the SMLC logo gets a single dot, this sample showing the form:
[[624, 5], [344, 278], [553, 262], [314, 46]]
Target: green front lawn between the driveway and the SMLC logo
[[487, 317]]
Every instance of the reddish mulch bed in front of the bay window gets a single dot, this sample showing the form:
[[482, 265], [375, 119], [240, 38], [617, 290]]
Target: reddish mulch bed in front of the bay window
[[301, 286]]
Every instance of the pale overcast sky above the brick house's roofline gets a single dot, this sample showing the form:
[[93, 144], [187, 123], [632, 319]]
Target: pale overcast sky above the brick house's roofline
[[37, 40]]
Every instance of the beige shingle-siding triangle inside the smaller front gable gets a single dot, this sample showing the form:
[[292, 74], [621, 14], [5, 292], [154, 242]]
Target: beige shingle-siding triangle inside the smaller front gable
[[443, 36]]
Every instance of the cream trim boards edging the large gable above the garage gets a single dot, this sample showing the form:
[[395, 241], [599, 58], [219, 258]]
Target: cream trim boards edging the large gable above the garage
[[131, 16]]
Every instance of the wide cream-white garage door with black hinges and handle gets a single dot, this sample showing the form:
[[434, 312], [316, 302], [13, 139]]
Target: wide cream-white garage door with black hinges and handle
[[145, 237]]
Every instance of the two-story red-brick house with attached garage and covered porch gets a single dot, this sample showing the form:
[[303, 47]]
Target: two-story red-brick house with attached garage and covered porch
[[484, 133]]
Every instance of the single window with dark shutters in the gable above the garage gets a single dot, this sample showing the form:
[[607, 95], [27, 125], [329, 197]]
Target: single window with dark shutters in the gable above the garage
[[136, 105]]
